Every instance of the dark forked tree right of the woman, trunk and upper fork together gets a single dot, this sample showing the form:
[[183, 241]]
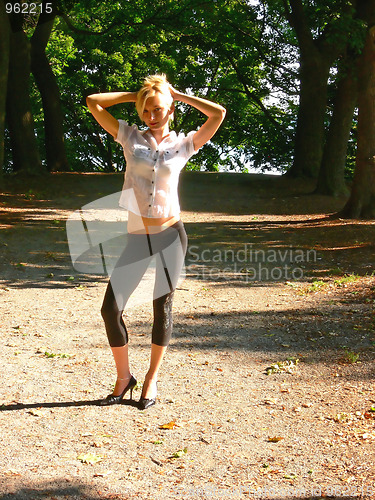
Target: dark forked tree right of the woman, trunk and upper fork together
[[322, 32]]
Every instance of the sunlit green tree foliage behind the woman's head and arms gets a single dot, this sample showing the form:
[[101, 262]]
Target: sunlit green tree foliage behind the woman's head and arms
[[241, 54]]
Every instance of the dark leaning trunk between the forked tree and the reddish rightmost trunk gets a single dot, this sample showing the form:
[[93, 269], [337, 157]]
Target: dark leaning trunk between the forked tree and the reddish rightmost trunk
[[331, 179]]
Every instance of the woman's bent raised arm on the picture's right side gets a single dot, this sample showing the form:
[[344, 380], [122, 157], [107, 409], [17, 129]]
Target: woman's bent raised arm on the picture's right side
[[213, 111]]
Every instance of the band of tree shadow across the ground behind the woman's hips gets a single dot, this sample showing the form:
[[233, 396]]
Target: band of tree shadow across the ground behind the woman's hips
[[38, 256]]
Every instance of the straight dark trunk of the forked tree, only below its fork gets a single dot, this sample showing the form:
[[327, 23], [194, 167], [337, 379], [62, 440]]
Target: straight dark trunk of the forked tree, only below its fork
[[309, 138]]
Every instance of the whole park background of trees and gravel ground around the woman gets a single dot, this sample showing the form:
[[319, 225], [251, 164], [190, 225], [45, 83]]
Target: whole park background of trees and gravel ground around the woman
[[268, 385]]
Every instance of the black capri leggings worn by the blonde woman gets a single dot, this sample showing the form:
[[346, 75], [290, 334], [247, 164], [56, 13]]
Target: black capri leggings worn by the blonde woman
[[169, 246]]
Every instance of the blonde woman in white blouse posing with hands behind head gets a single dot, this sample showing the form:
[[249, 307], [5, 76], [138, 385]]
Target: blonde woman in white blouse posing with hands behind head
[[154, 160]]
